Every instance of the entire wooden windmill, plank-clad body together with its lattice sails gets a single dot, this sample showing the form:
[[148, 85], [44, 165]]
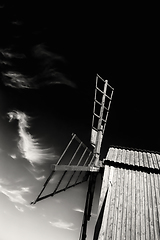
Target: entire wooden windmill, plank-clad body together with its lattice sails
[[129, 203]]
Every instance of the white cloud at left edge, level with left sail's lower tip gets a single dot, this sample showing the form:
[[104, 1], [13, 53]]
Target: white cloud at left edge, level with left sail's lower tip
[[14, 195]]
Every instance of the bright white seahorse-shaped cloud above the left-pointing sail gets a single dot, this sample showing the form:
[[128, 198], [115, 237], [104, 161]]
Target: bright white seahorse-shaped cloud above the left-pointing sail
[[29, 146]]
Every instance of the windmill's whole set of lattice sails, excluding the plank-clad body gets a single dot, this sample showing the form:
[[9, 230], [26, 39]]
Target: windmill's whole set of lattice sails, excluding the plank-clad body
[[77, 163]]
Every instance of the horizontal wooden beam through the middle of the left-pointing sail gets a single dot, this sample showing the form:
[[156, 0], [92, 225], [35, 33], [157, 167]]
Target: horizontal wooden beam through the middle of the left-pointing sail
[[74, 168]]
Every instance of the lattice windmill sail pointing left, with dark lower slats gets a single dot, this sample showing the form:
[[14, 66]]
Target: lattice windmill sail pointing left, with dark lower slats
[[71, 168]]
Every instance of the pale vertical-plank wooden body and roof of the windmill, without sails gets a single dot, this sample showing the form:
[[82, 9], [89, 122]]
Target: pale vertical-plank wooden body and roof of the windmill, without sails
[[132, 205]]
